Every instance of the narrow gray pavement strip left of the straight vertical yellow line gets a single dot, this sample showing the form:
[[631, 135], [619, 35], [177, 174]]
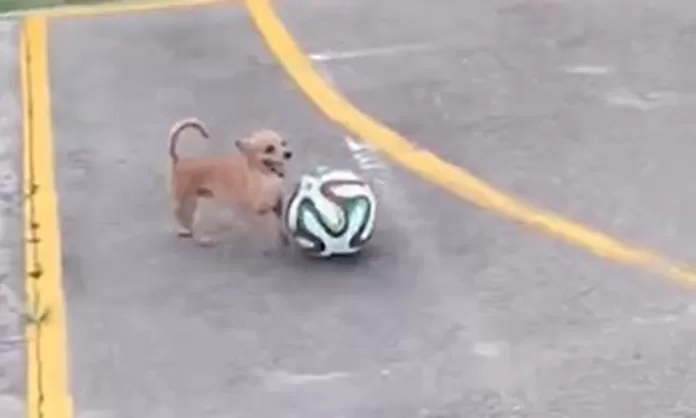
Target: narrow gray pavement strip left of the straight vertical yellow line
[[12, 349]]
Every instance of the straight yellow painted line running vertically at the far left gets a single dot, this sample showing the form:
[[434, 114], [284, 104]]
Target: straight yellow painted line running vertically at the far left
[[48, 394]]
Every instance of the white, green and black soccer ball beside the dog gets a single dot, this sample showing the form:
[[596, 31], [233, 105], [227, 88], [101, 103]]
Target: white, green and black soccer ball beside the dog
[[331, 212]]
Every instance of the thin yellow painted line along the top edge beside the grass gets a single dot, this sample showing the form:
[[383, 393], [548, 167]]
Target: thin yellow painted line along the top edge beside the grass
[[119, 7]]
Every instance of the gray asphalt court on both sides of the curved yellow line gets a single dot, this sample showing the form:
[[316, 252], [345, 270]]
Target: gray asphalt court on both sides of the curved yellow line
[[452, 312]]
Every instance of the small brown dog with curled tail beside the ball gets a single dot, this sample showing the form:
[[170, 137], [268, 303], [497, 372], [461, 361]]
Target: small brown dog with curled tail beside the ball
[[251, 182]]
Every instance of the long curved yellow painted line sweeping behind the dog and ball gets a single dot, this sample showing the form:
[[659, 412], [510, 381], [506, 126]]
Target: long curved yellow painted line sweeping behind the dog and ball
[[425, 164]]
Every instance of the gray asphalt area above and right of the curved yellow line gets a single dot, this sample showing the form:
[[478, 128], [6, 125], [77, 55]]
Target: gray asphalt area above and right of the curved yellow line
[[498, 92]]
